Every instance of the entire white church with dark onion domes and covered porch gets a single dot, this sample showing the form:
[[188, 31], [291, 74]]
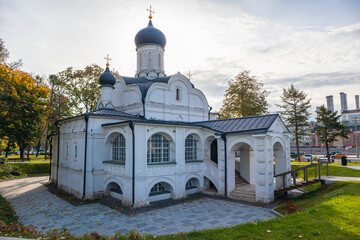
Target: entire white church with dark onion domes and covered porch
[[153, 137]]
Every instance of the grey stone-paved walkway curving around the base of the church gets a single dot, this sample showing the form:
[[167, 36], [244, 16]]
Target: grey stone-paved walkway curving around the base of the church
[[35, 205]]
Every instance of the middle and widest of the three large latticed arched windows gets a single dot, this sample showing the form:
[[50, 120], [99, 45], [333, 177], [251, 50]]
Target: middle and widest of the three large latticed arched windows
[[158, 149]]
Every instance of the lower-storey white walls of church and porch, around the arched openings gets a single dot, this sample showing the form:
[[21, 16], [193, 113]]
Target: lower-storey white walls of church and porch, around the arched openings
[[175, 175]]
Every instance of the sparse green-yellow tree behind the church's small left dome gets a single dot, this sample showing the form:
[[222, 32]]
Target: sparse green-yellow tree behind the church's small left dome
[[81, 87]]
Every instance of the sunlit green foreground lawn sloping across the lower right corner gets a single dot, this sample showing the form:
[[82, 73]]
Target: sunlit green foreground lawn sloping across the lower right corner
[[329, 212]]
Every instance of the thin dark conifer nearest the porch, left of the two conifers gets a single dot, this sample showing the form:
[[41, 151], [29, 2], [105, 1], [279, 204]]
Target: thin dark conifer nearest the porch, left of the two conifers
[[296, 112]]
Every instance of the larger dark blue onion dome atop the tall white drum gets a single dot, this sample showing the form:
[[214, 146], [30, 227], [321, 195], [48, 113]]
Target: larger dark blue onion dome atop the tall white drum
[[150, 35]]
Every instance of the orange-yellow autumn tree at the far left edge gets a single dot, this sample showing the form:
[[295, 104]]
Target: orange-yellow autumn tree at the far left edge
[[23, 107]]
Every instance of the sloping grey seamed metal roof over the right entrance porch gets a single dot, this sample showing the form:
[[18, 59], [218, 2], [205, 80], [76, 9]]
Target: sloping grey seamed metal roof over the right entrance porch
[[241, 125]]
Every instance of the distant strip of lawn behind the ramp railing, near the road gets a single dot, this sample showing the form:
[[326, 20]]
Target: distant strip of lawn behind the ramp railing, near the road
[[333, 171]]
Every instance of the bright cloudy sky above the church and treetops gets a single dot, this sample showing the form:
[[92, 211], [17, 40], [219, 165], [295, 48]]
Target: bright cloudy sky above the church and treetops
[[314, 44]]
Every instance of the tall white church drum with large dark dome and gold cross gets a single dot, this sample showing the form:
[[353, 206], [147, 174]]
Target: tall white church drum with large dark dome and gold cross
[[150, 47]]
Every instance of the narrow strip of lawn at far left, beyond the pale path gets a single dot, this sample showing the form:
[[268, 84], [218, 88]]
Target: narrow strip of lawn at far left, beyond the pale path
[[16, 170]]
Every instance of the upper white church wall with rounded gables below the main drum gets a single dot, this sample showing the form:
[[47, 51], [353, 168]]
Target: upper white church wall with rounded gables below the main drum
[[161, 102]]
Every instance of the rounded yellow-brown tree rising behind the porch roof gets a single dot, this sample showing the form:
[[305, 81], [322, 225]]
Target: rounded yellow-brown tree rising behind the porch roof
[[244, 97]]
